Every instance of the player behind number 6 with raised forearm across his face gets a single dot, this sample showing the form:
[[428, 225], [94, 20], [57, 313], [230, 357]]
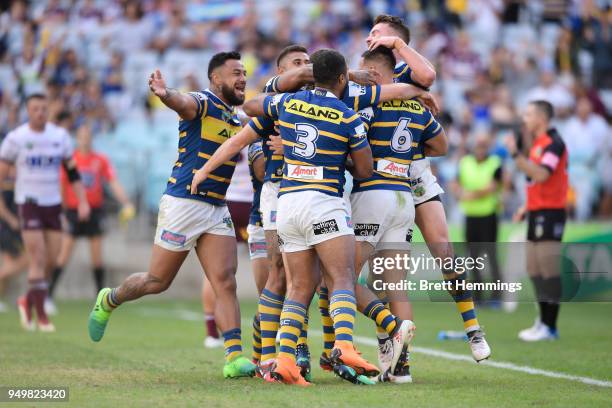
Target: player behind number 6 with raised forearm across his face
[[392, 33]]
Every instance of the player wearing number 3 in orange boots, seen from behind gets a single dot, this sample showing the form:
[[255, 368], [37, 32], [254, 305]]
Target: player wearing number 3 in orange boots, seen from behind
[[318, 133]]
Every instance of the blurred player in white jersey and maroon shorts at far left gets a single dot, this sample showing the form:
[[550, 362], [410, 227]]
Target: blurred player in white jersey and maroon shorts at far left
[[38, 149]]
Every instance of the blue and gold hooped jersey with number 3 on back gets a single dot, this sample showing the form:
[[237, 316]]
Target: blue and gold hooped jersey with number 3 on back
[[318, 132]]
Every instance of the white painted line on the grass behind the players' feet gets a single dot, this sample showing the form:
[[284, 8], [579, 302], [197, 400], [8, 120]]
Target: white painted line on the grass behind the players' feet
[[189, 315]]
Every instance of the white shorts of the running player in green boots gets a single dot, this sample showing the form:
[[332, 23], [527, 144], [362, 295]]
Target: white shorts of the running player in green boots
[[181, 222]]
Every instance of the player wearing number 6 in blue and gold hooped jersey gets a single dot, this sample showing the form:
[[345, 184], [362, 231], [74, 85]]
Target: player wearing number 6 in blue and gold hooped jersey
[[399, 131]]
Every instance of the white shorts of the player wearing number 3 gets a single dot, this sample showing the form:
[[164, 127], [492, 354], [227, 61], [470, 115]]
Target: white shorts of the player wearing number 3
[[307, 218]]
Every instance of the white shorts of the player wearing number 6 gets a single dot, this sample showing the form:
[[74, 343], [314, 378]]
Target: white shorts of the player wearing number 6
[[383, 218]]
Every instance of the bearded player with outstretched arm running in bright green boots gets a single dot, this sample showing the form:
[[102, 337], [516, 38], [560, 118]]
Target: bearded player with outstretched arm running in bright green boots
[[197, 217]]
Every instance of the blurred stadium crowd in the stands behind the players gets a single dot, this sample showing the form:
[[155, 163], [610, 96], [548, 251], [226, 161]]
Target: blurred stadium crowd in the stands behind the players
[[491, 57]]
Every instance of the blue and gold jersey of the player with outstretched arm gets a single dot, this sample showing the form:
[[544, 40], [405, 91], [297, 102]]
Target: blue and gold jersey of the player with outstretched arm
[[199, 138]]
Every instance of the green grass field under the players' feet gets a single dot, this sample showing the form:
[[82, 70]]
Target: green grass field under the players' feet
[[152, 355]]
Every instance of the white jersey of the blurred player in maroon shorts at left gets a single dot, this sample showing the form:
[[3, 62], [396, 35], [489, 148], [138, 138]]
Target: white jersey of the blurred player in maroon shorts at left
[[38, 158]]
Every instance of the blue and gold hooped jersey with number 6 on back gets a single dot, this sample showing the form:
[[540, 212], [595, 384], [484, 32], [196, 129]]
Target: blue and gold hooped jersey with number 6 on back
[[397, 132]]
